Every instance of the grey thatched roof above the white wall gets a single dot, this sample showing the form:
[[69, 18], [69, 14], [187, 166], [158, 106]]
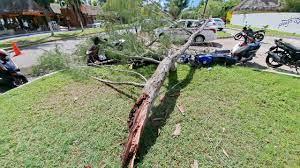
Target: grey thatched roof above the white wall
[[259, 5]]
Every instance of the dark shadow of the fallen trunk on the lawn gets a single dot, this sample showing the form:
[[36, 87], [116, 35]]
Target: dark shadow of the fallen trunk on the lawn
[[161, 113]]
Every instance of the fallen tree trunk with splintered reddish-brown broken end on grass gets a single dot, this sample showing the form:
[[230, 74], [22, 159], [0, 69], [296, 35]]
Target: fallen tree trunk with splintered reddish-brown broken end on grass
[[139, 114]]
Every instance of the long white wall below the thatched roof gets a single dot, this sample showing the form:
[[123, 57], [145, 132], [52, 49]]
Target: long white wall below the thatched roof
[[287, 22]]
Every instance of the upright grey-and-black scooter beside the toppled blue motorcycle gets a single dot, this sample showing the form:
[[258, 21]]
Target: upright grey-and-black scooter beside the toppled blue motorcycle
[[246, 50]]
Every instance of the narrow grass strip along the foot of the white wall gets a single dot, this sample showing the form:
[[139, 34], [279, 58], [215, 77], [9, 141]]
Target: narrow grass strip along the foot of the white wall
[[269, 32]]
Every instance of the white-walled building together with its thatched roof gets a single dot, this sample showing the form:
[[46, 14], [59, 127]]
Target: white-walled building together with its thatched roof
[[259, 13]]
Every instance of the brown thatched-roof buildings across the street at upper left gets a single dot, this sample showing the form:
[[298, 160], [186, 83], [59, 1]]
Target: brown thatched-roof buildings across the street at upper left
[[21, 16]]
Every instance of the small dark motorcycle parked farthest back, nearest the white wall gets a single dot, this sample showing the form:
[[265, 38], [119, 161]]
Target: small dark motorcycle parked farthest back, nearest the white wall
[[257, 35]]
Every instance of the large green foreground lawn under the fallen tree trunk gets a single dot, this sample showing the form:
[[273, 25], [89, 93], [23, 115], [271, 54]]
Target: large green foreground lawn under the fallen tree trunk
[[61, 121]]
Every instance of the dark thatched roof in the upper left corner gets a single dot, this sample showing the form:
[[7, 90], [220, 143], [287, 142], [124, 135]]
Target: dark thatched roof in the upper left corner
[[18, 6]]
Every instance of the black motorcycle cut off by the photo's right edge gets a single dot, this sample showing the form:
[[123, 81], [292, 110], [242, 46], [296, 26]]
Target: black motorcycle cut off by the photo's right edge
[[283, 54]]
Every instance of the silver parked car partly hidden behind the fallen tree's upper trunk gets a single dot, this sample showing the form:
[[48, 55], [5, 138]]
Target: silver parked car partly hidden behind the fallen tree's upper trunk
[[184, 28]]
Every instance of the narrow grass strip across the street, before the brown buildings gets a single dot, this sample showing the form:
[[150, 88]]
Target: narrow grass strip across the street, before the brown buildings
[[46, 38]]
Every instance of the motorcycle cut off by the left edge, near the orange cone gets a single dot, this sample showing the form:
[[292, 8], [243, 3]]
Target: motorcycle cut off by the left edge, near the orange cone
[[9, 71]]
